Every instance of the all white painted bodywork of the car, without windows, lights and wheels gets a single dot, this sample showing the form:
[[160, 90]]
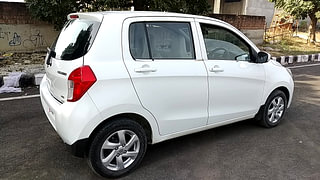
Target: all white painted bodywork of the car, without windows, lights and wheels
[[119, 89]]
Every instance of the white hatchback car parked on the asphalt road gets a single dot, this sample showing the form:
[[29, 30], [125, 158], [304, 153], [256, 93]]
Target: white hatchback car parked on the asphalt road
[[117, 81]]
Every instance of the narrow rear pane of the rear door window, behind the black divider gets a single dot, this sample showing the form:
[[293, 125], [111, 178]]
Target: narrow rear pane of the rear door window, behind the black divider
[[138, 41]]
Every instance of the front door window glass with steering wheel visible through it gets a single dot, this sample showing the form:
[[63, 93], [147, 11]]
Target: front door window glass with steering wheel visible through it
[[222, 44]]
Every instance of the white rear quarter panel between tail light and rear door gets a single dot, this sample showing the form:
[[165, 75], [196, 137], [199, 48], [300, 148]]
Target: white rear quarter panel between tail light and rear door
[[113, 93]]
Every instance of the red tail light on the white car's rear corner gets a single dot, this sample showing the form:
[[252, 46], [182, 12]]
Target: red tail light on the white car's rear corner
[[79, 81]]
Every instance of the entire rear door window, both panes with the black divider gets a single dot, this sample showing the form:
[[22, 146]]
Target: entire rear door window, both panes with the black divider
[[161, 40]]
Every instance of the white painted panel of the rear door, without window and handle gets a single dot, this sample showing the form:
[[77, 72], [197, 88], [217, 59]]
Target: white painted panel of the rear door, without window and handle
[[176, 93]]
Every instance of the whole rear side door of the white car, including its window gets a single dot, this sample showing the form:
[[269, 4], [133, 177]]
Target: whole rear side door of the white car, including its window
[[163, 58]]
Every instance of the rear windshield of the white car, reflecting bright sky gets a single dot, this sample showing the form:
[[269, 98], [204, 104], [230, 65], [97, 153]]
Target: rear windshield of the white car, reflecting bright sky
[[75, 39]]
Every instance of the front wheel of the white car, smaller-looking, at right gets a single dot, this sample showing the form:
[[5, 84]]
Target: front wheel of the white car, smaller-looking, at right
[[271, 114]]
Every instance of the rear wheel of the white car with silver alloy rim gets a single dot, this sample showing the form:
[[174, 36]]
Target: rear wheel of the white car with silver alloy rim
[[117, 148]]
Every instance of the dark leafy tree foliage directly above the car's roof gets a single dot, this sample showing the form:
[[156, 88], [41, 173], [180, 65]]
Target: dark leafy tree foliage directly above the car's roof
[[56, 11]]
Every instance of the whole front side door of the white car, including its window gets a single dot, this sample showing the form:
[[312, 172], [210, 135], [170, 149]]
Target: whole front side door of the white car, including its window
[[235, 82]]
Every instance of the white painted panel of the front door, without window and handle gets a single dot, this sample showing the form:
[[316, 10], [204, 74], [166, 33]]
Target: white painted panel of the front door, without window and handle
[[229, 90]]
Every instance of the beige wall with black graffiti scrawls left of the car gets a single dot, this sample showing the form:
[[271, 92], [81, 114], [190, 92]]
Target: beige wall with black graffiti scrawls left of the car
[[35, 40]]
